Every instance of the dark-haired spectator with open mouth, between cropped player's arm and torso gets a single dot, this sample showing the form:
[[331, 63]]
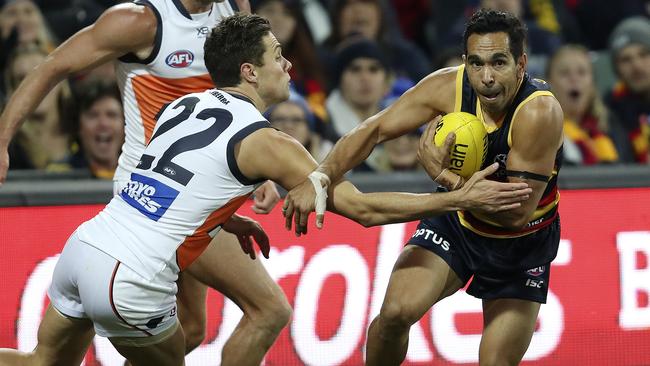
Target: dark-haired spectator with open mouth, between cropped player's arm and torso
[[99, 128]]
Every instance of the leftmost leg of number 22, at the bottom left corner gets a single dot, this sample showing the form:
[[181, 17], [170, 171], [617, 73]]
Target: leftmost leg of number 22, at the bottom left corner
[[61, 341]]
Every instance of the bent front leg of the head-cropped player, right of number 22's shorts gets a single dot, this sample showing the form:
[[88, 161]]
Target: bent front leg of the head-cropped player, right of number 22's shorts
[[224, 267]]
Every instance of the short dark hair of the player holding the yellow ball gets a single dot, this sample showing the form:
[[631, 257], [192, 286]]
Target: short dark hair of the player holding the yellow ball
[[492, 21]]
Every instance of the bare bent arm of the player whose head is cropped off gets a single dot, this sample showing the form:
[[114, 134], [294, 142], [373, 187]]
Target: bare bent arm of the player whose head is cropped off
[[121, 29]]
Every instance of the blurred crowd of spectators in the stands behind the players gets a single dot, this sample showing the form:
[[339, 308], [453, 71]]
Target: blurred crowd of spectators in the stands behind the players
[[351, 59]]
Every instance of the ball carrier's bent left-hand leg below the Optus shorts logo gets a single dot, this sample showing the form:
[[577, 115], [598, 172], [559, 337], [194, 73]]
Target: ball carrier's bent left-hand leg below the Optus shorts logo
[[420, 278]]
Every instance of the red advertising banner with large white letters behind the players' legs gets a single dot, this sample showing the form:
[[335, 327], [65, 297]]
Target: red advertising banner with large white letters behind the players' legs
[[598, 309]]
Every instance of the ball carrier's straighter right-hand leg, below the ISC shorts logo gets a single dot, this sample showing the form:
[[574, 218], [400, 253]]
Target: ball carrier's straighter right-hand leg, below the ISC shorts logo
[[508, 326]]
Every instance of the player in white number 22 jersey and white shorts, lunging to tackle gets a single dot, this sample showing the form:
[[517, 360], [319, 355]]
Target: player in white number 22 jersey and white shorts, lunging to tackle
[[207, 152]]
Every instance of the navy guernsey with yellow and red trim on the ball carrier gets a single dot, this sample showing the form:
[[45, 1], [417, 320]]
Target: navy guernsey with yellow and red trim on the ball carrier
[[499, 140]]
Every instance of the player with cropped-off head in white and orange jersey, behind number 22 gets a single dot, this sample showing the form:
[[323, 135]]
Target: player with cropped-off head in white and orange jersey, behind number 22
[[158, 49]]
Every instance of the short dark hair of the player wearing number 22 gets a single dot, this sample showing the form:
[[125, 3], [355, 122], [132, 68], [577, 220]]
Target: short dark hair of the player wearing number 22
[[234, 41]]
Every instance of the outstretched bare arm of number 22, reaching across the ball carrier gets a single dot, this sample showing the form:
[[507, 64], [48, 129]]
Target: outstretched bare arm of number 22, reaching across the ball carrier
[[259, 156]]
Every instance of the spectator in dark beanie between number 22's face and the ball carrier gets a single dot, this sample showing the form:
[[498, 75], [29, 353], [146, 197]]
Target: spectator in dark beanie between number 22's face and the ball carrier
[[362, 75]]
